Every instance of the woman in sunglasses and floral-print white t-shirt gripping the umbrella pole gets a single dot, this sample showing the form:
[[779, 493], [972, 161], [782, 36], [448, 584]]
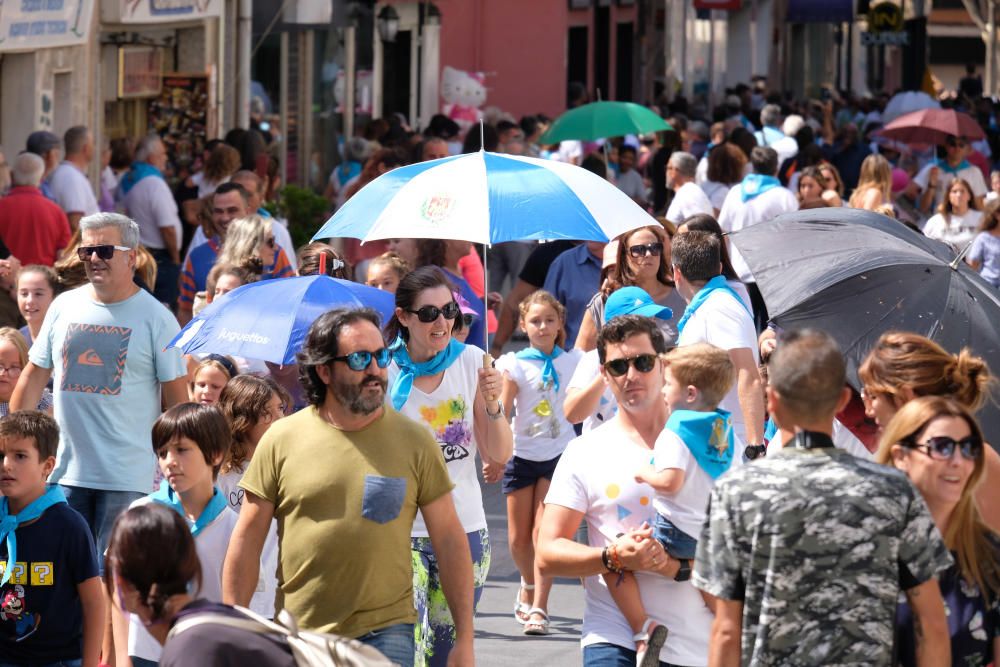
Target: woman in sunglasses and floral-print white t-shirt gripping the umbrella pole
[[441, 383]]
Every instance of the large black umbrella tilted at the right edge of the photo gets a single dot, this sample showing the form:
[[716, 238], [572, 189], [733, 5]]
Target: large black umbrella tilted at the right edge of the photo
[[857, 274]]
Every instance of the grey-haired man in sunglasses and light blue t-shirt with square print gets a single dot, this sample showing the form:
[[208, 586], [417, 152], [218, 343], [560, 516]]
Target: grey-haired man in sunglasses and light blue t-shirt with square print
[[106, 342]]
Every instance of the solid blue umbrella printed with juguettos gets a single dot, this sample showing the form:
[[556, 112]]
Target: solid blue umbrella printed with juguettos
[[269, 320]]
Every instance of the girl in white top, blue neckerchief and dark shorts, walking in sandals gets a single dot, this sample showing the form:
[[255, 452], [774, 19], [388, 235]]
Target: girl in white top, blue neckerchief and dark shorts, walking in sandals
[[535, 381]]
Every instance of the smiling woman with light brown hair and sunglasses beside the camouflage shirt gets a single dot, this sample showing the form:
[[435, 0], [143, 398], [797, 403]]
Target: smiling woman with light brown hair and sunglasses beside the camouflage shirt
[[939, 445]]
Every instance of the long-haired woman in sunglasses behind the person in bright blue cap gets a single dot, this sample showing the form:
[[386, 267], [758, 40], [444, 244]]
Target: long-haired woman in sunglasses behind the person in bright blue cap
[[643, 261]]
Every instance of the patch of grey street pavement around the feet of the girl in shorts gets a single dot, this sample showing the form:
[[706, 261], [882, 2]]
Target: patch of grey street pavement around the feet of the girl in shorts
[[498, 637]]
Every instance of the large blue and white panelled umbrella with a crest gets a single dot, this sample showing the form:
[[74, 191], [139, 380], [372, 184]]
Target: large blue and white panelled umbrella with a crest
[[487, 198]]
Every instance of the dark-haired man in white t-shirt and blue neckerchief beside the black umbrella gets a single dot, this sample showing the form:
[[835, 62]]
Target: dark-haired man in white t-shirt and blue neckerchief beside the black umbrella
[[717, 315]]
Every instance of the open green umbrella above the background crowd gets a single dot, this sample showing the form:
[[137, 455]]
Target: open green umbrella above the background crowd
[[599, 120]]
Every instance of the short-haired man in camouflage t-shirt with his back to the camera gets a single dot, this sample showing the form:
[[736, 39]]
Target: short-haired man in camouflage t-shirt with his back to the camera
[[809, 548]]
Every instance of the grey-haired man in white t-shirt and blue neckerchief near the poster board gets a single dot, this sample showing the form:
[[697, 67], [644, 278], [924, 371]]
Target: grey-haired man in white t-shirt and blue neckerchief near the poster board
[[146, 197]]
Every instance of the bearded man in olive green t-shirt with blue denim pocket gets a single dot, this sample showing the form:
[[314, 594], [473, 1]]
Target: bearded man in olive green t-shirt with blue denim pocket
[[344, 478]]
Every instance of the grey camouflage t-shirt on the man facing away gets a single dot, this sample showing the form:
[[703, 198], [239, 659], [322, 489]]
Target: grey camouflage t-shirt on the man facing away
[[814, 542]]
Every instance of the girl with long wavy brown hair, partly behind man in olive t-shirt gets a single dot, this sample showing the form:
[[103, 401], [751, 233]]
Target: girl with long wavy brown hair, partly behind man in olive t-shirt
[[250, 405]]
